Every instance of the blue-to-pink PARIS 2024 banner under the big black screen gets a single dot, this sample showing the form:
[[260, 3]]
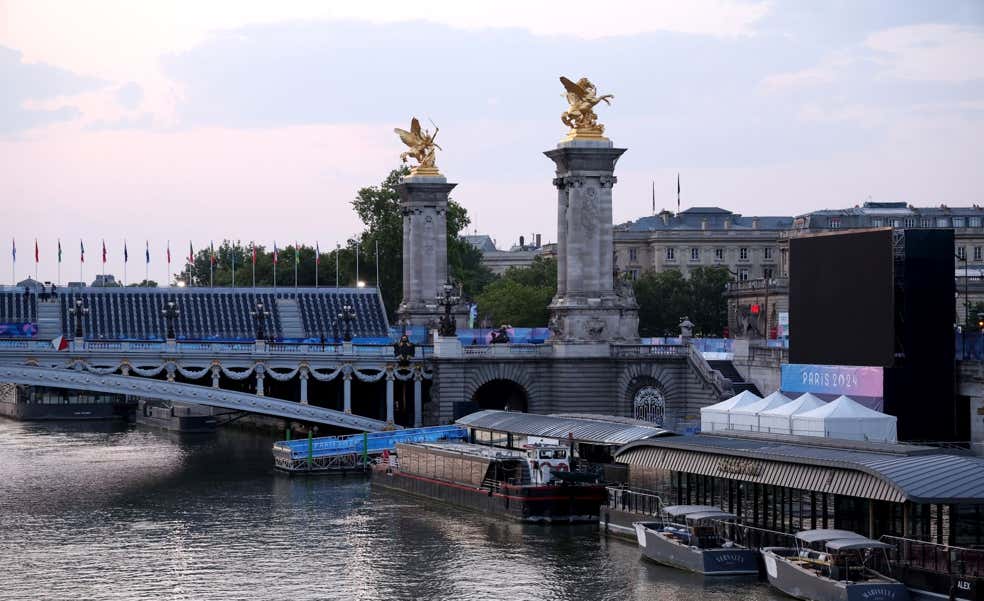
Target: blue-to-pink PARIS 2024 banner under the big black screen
[[849, 380]]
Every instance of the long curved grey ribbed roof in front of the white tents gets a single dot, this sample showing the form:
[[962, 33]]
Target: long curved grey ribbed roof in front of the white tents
[[881, 471]]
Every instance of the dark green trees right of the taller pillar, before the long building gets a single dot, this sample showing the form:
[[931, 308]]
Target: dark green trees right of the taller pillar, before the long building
[[667, 296]]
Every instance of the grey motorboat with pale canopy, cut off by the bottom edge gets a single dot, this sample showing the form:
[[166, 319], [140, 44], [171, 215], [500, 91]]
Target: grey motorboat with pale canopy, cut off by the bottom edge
[[842, 571]]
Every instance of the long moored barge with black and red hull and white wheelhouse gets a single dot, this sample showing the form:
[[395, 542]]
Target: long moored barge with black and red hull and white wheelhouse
[[534, 484]]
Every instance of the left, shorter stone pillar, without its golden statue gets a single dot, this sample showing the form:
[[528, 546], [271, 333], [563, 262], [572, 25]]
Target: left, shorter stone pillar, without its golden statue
[[424, 204]]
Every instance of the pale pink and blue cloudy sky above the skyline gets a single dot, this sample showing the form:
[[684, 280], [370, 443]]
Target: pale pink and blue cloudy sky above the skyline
[[189, 121]]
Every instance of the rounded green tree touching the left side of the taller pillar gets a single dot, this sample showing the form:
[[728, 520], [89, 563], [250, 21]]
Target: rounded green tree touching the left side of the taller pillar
[[521, 296]]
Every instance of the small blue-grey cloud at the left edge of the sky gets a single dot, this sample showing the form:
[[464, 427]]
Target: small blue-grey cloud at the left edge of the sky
[[29, 82]]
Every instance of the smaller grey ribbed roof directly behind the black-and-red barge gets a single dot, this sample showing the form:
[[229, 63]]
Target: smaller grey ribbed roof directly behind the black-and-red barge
[[595, 430]]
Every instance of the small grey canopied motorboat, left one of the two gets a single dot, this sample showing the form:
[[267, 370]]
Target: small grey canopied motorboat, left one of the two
[[689, 537]]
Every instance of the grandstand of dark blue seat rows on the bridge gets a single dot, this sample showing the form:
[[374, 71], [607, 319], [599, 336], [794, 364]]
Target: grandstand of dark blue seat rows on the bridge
[[212, 314]]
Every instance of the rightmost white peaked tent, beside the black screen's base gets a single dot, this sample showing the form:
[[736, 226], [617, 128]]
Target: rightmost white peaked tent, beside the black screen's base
[[846, 419]]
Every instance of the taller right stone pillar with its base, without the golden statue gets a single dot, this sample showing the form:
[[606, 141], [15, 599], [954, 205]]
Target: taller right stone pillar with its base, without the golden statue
[[590, 309]]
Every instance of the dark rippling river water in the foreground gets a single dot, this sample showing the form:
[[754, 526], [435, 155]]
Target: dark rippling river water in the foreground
[[118, 512]]
